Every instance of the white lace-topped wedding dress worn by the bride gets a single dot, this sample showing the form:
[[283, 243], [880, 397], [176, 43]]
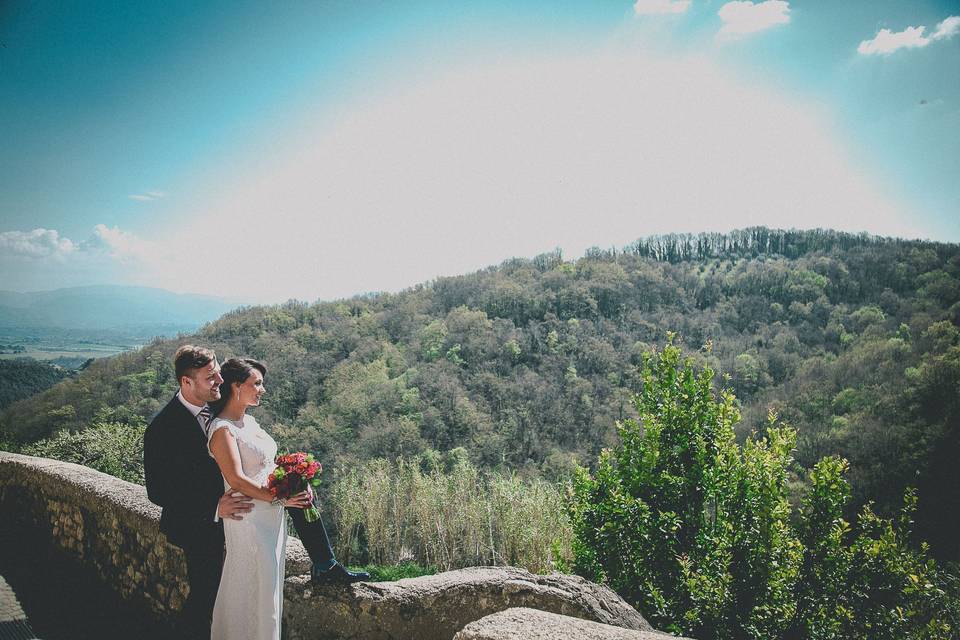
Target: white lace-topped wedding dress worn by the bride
[[250, 598]]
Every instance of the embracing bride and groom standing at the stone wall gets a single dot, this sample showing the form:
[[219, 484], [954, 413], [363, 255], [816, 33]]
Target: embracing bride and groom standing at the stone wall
[[206, 463]]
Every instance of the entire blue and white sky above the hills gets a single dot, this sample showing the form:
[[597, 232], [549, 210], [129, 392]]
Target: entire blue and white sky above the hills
[[317, 150]]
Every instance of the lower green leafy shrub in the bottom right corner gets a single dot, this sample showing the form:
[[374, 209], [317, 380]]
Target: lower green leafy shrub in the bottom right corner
[[869, 582]]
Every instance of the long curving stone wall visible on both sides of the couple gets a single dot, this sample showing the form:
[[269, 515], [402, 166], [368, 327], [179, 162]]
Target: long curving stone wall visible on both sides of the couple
[[110, 528]]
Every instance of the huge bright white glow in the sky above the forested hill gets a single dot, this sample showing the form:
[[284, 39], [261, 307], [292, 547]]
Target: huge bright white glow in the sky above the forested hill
[[479, 164]]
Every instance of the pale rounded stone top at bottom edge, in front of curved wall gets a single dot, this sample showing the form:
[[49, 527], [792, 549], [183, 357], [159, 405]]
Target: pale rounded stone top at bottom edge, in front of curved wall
[[521, 623]]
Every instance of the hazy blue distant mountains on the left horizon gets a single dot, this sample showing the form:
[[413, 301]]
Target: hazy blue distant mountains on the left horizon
[[109, 307]]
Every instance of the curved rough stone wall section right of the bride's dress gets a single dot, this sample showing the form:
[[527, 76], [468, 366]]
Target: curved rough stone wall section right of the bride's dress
[[437, 607]]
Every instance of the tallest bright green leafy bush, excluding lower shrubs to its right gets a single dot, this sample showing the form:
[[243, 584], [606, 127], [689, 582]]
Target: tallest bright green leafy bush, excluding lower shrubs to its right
[[682, 521]]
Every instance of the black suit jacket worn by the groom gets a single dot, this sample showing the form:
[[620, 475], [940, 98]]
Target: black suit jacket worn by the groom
[[183, 479]]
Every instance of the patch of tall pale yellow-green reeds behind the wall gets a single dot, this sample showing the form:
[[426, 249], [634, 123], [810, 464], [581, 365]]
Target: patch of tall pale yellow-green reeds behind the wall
[[414, 510]]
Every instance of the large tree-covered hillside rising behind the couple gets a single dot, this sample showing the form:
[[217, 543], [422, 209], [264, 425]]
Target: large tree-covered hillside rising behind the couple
[[851, 339]]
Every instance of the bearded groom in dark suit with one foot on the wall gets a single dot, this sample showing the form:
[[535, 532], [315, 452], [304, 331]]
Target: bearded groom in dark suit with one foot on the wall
[[184, 480]]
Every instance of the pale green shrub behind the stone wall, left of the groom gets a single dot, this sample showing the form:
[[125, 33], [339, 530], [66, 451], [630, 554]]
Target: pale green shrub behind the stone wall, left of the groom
[[111, 447]]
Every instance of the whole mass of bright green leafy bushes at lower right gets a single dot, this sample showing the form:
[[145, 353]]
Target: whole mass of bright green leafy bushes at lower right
[[697, 532]]
